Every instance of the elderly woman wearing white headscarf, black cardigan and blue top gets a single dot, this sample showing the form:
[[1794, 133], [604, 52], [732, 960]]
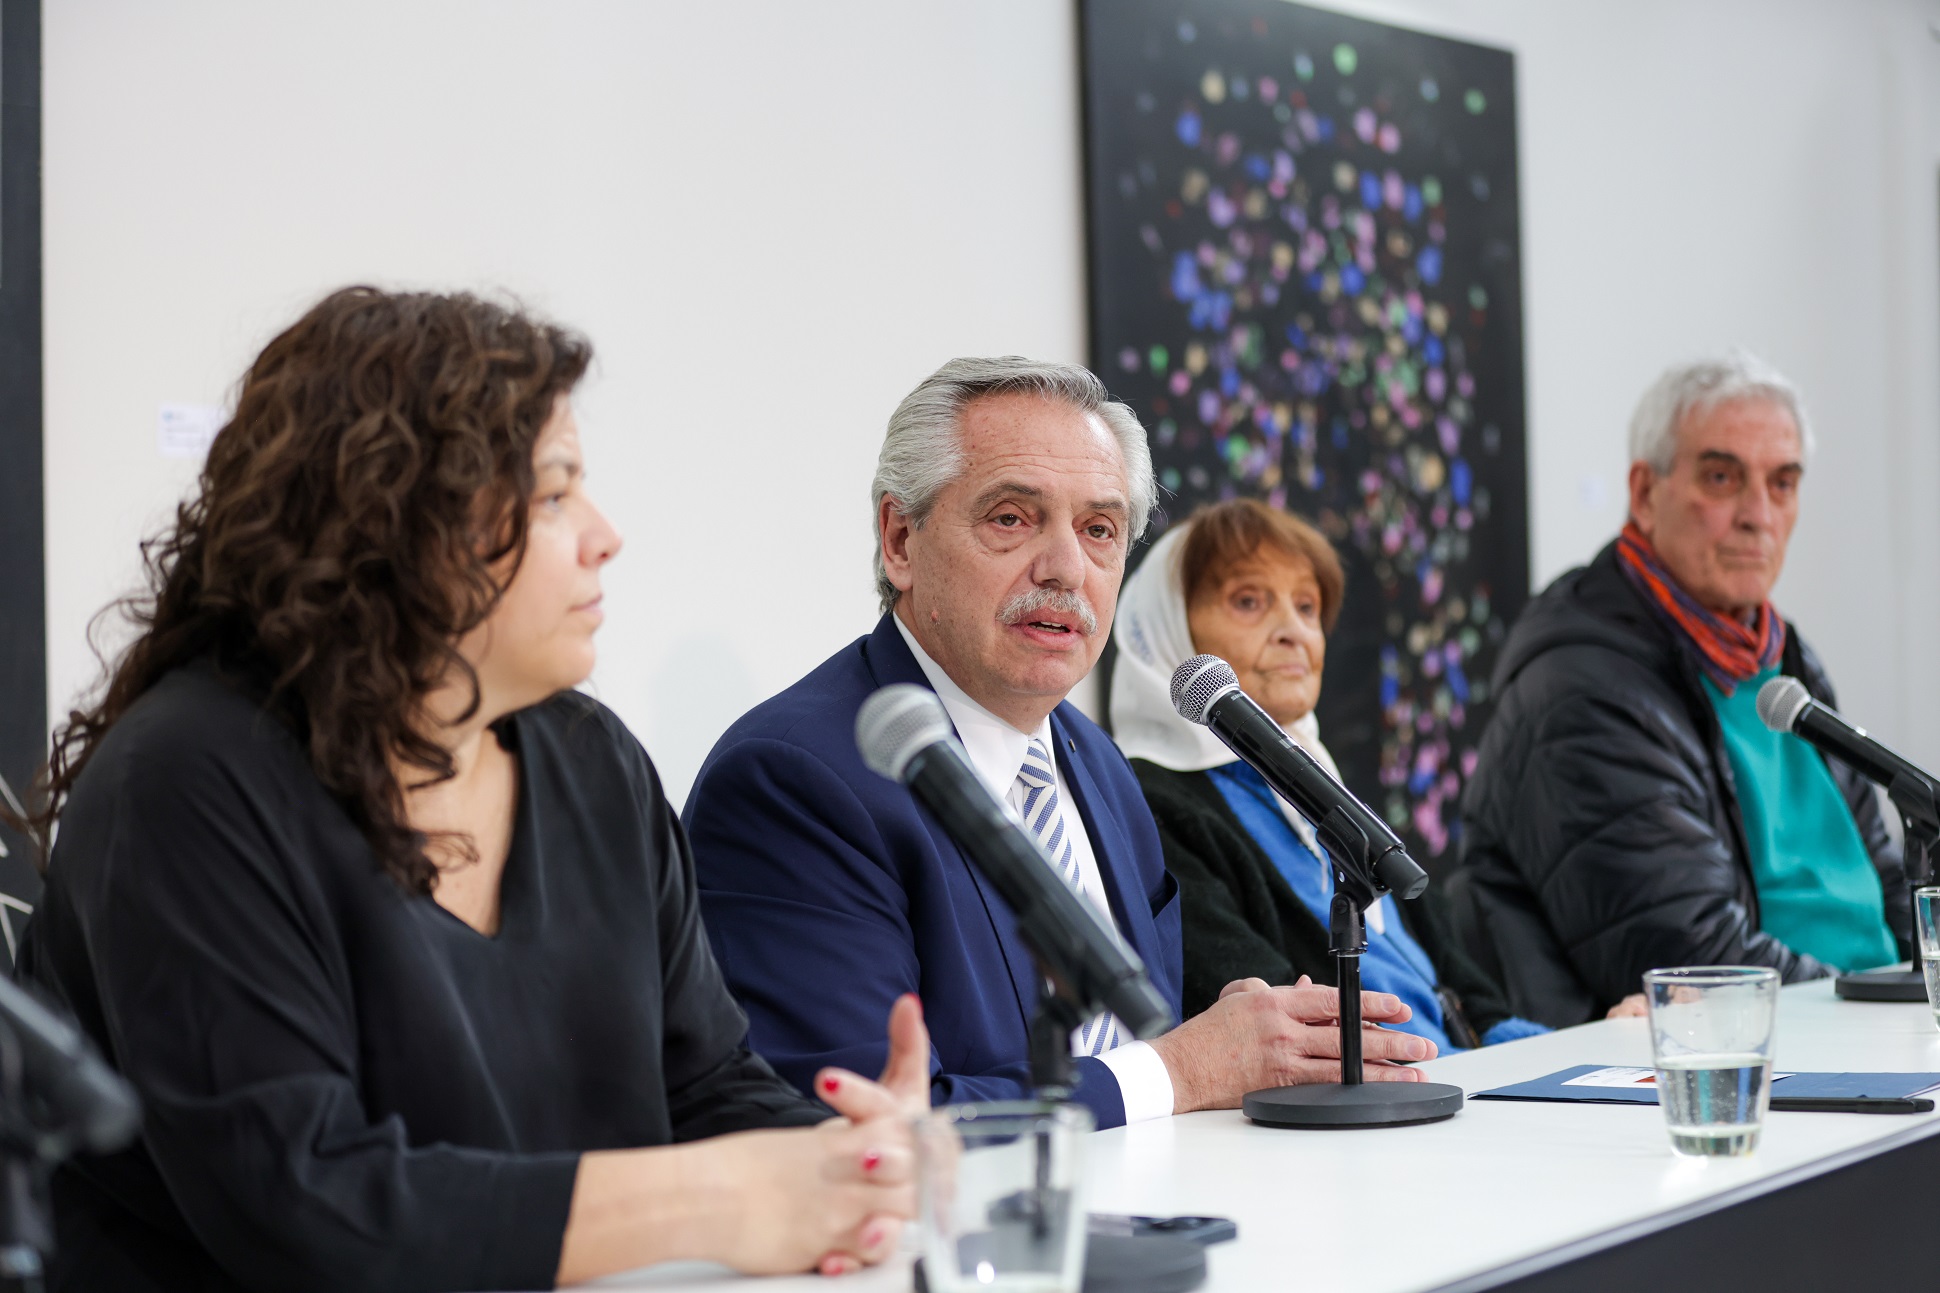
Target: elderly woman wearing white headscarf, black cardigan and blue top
[[1262, 589]]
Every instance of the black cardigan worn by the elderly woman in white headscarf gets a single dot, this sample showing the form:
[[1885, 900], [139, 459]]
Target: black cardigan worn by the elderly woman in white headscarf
[[1245, 921]]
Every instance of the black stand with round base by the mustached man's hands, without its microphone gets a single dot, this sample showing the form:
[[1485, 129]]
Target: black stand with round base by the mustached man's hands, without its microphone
[[1353, 1102]]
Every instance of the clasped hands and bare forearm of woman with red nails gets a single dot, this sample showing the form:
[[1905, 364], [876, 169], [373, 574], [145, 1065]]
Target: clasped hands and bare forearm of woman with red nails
[[829, 1197]]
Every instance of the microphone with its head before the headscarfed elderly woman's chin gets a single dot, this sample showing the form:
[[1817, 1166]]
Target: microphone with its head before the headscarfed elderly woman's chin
[[1208, 692]]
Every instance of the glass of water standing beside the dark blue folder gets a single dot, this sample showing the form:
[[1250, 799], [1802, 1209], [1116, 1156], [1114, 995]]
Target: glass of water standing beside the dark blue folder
[[1712, 1040]]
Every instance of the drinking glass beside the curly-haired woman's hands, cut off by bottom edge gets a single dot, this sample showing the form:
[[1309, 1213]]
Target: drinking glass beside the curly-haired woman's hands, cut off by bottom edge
[[1002, 1203]]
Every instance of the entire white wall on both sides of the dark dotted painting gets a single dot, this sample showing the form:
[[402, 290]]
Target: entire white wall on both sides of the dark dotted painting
[[775, 218]]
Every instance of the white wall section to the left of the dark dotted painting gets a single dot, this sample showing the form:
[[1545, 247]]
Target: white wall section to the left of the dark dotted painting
[[773, 220]]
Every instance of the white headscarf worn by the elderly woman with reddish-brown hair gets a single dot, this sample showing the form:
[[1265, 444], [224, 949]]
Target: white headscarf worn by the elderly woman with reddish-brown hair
[[1153, 640]]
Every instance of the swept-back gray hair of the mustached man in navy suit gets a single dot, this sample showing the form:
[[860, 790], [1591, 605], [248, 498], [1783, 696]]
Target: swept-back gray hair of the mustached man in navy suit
[[922, 451]]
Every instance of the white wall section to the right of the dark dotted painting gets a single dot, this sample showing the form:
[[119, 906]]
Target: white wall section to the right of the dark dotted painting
[[1757, 174]]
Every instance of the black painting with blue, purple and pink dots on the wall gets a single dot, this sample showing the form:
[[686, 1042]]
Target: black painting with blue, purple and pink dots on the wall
[[1307, 279]]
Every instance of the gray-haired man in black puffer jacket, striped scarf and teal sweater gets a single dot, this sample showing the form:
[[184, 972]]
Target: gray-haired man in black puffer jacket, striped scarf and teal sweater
[[1629, 807]]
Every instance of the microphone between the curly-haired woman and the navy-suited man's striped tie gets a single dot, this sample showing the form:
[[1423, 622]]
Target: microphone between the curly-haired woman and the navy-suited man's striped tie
[[905, 735]]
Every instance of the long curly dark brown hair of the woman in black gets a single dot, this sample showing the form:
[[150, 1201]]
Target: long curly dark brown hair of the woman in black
[[356, 517]]
